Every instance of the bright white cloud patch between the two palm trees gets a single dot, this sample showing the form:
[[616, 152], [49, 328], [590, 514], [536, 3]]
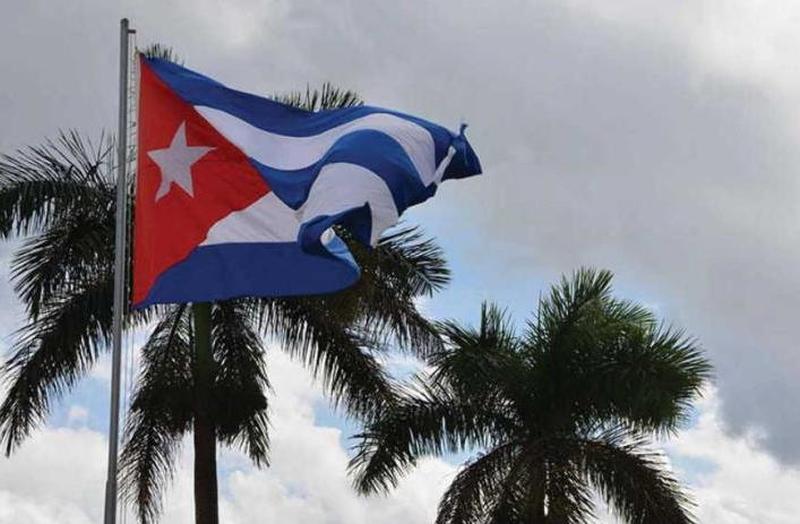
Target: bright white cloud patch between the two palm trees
[[307, 480]]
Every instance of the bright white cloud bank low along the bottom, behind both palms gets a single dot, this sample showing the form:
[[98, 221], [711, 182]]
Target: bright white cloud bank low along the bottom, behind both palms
[[58, 476]]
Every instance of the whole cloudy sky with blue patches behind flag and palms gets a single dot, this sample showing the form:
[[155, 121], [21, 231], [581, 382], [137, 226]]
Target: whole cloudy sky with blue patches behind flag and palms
[[656, 139]]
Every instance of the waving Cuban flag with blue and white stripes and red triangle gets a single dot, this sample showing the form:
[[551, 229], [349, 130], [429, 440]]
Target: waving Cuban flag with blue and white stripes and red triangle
[[236, 195]]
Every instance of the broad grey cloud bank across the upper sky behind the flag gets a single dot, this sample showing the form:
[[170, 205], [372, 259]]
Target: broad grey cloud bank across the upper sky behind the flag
[[603, 146]]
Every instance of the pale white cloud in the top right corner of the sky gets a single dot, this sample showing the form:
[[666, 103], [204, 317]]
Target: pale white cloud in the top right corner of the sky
[[749, 41]]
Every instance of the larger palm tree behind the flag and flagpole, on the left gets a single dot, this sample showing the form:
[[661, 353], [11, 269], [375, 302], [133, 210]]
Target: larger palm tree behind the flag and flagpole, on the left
[[59, 197]]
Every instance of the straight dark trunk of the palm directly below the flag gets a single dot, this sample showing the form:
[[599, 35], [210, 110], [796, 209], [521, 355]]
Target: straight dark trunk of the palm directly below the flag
[[206, 510]]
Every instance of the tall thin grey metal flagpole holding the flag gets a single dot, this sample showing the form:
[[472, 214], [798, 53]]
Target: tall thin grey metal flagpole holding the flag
[[120, 242]]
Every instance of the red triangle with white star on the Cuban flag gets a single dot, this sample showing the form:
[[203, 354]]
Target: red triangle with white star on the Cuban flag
[[188, 178]]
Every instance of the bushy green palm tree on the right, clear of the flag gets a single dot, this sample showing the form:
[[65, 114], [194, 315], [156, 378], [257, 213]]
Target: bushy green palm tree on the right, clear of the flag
[[562, 412]]
